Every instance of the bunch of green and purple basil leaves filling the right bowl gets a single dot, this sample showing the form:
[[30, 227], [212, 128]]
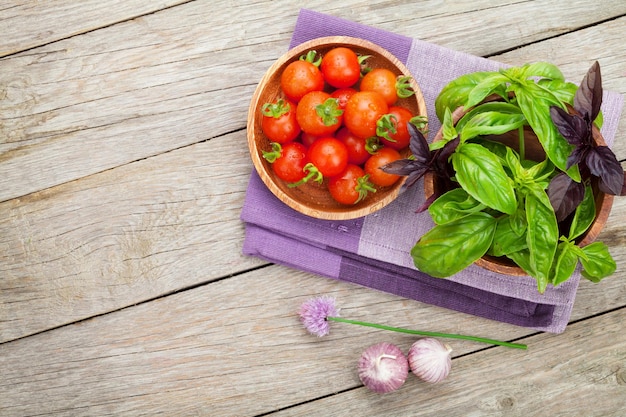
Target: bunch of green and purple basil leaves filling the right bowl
[[500, 203]]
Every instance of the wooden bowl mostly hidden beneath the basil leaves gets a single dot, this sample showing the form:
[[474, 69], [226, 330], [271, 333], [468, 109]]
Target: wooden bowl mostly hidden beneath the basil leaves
[[534, 151]]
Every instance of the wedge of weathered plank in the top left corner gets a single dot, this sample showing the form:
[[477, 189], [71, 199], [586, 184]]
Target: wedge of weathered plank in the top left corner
[[32, 24]]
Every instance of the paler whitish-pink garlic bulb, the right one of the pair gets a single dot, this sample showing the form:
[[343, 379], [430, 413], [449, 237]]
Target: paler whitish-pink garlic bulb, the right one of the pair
[[430, 360]]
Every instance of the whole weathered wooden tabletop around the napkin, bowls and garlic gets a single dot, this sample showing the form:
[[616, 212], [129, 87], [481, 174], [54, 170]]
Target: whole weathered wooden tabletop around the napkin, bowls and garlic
[[123, 170]]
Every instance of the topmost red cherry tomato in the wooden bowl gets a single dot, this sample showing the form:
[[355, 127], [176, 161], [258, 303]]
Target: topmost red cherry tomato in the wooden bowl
[[341, 67]]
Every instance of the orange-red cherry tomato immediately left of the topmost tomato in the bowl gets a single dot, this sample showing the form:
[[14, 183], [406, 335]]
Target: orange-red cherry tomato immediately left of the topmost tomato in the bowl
[[299, 78]]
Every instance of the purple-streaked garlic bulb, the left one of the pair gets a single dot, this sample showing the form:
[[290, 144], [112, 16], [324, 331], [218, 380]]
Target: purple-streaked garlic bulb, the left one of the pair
[[383, 368]]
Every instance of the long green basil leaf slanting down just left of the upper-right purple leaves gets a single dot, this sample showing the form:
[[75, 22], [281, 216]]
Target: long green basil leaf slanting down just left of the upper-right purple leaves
[[535, 103]]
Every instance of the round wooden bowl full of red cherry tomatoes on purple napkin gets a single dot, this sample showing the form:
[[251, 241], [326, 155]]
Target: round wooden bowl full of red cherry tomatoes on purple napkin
[[324, 118]]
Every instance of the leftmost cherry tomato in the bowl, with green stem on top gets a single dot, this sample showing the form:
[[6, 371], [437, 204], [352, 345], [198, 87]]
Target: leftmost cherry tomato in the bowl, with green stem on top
[[279, 121]]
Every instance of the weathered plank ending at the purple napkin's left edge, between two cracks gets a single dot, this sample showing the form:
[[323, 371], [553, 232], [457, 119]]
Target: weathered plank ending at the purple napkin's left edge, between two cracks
[[123, 236]]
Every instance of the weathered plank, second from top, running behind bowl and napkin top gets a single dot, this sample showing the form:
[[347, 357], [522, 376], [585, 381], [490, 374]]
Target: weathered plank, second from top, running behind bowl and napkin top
[[166, 80]]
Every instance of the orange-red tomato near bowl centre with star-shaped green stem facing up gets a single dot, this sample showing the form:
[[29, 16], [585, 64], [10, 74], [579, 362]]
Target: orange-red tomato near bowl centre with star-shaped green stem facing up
[[318, 114]]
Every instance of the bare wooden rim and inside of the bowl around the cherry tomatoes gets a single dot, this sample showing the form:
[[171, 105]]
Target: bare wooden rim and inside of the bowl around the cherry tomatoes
[[313, 199]]
